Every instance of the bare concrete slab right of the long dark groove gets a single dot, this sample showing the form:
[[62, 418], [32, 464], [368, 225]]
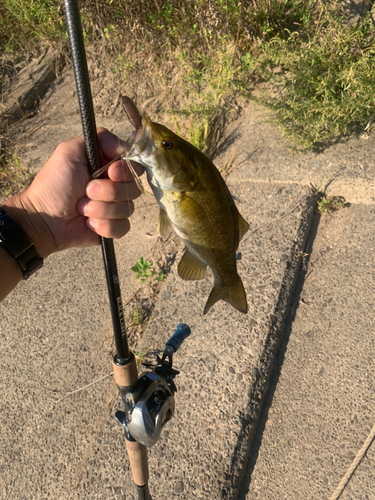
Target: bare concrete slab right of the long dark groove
[[321, 406]]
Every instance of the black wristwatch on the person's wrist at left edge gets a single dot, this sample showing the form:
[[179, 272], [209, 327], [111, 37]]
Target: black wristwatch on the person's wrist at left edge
[[19, 245]]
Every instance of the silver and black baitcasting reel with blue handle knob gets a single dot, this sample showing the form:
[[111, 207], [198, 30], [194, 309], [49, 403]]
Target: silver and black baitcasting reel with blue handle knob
[[151, 404]]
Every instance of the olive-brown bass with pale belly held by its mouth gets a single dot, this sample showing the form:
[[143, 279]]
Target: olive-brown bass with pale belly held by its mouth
[[196, 203]]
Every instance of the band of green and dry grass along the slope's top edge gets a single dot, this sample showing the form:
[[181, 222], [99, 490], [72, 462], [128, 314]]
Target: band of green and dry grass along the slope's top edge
[[315, 70]]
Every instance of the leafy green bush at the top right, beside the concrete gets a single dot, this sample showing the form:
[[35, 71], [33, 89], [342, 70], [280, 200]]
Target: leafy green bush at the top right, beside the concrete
[[326, 81]]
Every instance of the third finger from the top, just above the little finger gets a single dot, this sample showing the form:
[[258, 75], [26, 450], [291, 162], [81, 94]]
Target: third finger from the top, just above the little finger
[[102, 210]]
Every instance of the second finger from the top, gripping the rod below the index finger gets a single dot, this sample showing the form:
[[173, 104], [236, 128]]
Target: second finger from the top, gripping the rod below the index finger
[[109, 191]]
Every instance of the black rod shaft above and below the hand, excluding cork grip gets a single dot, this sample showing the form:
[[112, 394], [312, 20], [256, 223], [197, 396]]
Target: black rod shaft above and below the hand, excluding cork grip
[[81, 73]]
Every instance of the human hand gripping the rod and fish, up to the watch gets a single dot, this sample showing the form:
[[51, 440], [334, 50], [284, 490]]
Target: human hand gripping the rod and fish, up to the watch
[[62, 208]]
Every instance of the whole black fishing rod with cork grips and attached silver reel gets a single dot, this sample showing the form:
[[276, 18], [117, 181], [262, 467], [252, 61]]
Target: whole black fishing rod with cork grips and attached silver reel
[[148, 399]]
